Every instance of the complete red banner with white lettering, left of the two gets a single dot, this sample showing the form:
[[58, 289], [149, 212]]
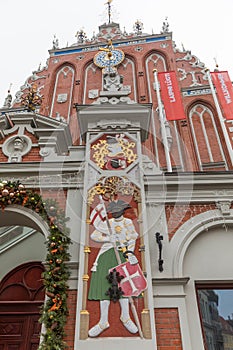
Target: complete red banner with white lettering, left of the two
[[170, 95]]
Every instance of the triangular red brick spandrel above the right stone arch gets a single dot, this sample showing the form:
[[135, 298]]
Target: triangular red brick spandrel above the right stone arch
[[177, 215]]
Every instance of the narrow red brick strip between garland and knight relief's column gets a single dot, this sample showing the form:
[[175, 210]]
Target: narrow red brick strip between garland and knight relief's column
[[70, 325]]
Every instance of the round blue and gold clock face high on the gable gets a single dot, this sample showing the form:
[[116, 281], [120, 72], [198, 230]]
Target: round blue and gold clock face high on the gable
[[109, 58]]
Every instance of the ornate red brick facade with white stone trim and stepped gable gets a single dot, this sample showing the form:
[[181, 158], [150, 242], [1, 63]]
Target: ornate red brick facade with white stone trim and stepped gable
[[179, 179]]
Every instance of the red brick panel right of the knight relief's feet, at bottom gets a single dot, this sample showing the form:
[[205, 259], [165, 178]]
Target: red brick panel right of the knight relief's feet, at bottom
[[168, 329]]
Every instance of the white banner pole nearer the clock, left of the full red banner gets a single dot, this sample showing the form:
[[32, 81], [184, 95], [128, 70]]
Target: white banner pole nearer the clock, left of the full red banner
[[161, 118]]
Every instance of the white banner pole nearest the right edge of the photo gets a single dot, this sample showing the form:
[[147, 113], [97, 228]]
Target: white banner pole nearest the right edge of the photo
[[222, 121]]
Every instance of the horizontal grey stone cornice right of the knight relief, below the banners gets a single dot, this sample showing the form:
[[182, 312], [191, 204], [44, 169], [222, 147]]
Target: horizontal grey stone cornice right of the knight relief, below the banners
[[189, 187]]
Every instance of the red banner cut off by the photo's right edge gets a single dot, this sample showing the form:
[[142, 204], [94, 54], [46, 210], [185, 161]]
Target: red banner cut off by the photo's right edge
[[224, 89]]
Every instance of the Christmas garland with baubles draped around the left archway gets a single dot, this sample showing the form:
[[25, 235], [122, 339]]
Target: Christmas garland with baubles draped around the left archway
[[55, 277]]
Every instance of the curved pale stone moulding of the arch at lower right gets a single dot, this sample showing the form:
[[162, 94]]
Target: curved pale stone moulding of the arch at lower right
[[191, 230]]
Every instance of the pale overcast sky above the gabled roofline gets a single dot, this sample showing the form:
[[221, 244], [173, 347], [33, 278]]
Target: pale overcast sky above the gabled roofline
[[27, 29]]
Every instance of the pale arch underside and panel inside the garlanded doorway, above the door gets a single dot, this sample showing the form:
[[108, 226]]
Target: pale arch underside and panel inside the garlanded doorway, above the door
[[21, 227]]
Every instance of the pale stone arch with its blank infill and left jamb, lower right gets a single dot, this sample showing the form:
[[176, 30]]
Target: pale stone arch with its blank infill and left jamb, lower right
[[201, 253]]
